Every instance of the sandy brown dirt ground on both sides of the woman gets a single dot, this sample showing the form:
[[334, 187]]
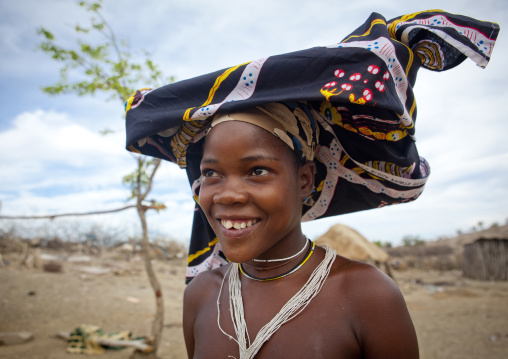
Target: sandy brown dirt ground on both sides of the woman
[[454, 317]]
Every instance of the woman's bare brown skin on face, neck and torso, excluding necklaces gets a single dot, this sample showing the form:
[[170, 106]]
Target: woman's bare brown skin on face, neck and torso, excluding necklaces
[[250, 175]]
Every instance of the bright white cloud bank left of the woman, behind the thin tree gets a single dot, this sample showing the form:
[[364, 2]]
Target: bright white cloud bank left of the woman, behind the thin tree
[[52, 165]]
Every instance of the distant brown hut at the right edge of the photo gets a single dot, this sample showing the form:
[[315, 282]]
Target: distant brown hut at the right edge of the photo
[[486, 259]]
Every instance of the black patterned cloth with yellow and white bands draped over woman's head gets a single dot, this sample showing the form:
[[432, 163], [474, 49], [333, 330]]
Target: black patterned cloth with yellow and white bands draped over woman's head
[[357, 93]]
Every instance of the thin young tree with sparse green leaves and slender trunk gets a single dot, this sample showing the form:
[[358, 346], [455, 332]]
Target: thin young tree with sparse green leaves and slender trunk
[[109, 67]]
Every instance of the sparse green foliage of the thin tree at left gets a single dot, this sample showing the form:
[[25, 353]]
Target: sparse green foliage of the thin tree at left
[[90, 66]]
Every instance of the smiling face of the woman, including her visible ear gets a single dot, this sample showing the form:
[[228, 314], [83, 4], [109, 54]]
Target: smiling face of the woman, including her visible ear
[[252, 192]]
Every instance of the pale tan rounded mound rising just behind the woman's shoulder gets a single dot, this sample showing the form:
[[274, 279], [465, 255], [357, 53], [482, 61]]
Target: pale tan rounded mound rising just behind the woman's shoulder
[[351, 244]]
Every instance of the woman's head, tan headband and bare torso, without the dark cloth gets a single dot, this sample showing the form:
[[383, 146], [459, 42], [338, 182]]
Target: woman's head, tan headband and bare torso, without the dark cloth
[[252, 192]]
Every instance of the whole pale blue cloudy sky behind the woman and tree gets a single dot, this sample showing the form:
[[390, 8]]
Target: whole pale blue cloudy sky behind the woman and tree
[[53, 158]]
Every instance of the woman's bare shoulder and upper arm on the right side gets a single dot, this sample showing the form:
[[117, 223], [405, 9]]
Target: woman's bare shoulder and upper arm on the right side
[[378, 312]]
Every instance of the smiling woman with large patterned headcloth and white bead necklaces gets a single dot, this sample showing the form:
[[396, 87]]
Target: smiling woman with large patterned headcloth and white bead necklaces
[[291, 138]]
